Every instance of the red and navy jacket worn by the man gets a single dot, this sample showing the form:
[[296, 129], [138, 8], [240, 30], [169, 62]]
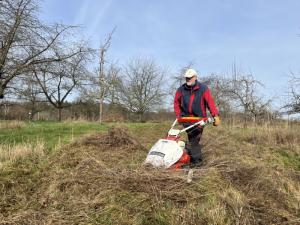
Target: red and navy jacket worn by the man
[[193, 101]]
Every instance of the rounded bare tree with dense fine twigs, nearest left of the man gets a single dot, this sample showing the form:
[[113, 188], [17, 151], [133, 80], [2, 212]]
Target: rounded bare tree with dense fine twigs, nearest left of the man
[[141, 89]]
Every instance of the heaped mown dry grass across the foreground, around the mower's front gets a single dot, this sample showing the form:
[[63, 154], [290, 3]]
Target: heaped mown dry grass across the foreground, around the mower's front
[[100, 180]]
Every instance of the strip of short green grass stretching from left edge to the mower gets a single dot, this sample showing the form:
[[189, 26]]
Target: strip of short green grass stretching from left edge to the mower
[[55, 133]]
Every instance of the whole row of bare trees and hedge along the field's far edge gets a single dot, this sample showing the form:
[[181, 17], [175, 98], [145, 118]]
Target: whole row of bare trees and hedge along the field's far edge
[[43, 66]]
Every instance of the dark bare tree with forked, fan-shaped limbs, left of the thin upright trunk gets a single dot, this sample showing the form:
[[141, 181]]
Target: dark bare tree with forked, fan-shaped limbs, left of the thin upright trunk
[[57, 80]]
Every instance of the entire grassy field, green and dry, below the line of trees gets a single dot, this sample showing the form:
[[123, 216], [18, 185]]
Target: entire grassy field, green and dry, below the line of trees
[[84, 173]]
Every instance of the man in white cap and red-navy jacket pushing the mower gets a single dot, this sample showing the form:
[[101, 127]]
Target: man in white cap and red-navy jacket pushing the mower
[[192, 99]]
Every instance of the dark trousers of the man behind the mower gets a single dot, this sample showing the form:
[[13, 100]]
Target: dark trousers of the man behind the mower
[[193, 146]]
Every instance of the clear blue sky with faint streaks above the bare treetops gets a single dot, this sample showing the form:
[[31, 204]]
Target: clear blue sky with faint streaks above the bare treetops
[[260, 36]]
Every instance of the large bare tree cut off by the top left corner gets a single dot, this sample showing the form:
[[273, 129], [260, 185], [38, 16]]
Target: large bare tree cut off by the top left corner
[[25, 42]]
